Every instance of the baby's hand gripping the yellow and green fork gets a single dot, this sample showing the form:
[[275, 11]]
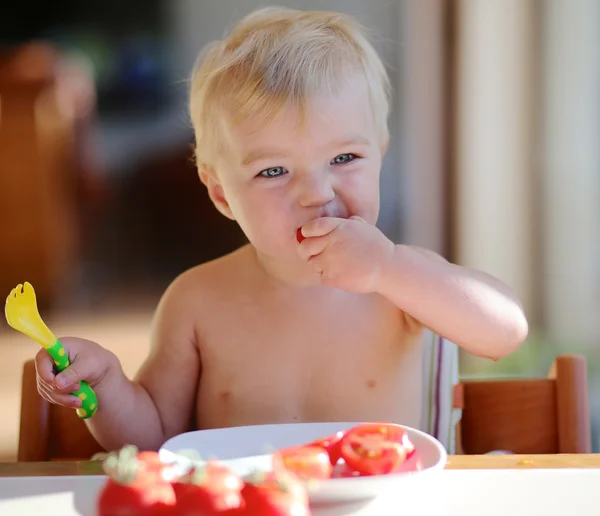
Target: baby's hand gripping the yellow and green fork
[[89, 362]]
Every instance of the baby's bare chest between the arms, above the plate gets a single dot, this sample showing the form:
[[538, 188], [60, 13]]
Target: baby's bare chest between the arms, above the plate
[[308, 363]]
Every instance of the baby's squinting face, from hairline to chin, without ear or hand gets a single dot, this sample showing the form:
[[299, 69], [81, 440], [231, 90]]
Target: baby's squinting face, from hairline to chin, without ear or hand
[[278, 177]]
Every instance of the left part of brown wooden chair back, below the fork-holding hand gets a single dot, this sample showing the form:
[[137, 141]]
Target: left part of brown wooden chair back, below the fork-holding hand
[[48, 431]]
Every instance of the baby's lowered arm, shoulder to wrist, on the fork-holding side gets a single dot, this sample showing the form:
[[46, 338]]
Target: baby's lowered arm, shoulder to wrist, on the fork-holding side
[[159, 402]]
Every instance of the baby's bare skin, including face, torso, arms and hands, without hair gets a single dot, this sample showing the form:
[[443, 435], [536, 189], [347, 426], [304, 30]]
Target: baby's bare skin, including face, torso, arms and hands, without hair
[[281, 331]]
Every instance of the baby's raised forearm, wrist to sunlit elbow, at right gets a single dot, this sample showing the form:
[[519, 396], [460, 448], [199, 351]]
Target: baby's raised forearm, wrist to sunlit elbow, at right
[[468, 307]]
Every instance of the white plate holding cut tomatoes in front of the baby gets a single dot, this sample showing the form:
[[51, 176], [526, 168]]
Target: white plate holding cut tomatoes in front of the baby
[[246, 449]]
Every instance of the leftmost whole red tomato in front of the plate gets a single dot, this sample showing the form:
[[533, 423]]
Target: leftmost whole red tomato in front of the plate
[[135, 499]]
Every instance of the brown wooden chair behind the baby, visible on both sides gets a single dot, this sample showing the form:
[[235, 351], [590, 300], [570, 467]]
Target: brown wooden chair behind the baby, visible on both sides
[[533, 416]]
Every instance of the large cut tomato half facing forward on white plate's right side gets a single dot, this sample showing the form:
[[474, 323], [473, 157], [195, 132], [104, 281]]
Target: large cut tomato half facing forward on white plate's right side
[[375, 448]]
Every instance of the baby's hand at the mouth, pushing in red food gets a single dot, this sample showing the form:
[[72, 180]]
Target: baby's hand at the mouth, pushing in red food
[[349, 254]]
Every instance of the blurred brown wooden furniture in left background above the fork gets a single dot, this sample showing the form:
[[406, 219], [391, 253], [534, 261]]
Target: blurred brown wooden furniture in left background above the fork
[[45, 110]]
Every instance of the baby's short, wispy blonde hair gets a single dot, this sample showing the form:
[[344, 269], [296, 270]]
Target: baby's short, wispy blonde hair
[[277, 56]]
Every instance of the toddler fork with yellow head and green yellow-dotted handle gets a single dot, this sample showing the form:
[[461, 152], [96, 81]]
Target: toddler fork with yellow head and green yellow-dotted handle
[[22, 314]]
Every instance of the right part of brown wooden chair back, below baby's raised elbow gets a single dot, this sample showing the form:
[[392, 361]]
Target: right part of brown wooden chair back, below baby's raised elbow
[[528, 416]]
